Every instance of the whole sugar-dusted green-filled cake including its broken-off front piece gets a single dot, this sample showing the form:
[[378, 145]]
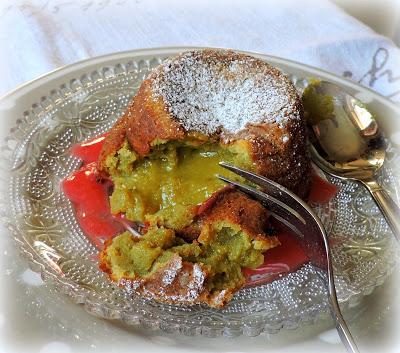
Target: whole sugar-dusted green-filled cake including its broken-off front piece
[[162, 155]]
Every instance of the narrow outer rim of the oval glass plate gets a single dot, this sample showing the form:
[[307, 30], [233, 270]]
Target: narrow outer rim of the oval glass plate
[[52, 80]]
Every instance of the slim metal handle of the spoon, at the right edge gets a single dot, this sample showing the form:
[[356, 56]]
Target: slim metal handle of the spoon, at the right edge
[[388, 207]]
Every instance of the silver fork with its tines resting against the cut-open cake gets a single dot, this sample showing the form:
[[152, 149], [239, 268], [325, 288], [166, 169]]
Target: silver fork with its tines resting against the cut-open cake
[[297, 215]]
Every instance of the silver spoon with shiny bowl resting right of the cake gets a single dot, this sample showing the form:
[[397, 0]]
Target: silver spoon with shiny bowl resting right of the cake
[[347, 144]]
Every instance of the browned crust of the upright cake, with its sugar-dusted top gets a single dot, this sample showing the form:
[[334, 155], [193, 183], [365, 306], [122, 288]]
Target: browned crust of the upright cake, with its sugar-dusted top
[[276, 143]]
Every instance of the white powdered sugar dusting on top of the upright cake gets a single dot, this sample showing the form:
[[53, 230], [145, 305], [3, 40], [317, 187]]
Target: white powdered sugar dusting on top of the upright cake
[[212, 91]]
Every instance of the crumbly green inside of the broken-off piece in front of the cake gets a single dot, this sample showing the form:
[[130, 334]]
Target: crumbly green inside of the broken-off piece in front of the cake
[[223, 249]]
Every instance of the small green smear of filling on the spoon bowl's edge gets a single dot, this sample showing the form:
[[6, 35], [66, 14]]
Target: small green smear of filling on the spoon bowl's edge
[[318, 107]]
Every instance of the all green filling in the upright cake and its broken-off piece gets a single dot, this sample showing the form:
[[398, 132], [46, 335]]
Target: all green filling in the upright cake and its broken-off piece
[[162, 190]]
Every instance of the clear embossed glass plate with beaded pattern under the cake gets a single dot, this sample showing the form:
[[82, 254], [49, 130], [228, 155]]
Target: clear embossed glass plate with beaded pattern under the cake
[[42, 220]]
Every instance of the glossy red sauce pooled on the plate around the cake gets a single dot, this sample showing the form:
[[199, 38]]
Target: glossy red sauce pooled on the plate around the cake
[[90, 199]]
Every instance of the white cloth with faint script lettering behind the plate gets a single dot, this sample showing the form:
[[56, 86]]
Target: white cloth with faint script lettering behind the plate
[[39, 35]]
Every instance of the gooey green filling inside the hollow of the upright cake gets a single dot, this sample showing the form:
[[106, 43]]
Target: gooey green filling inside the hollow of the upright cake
[[163, 187]]
